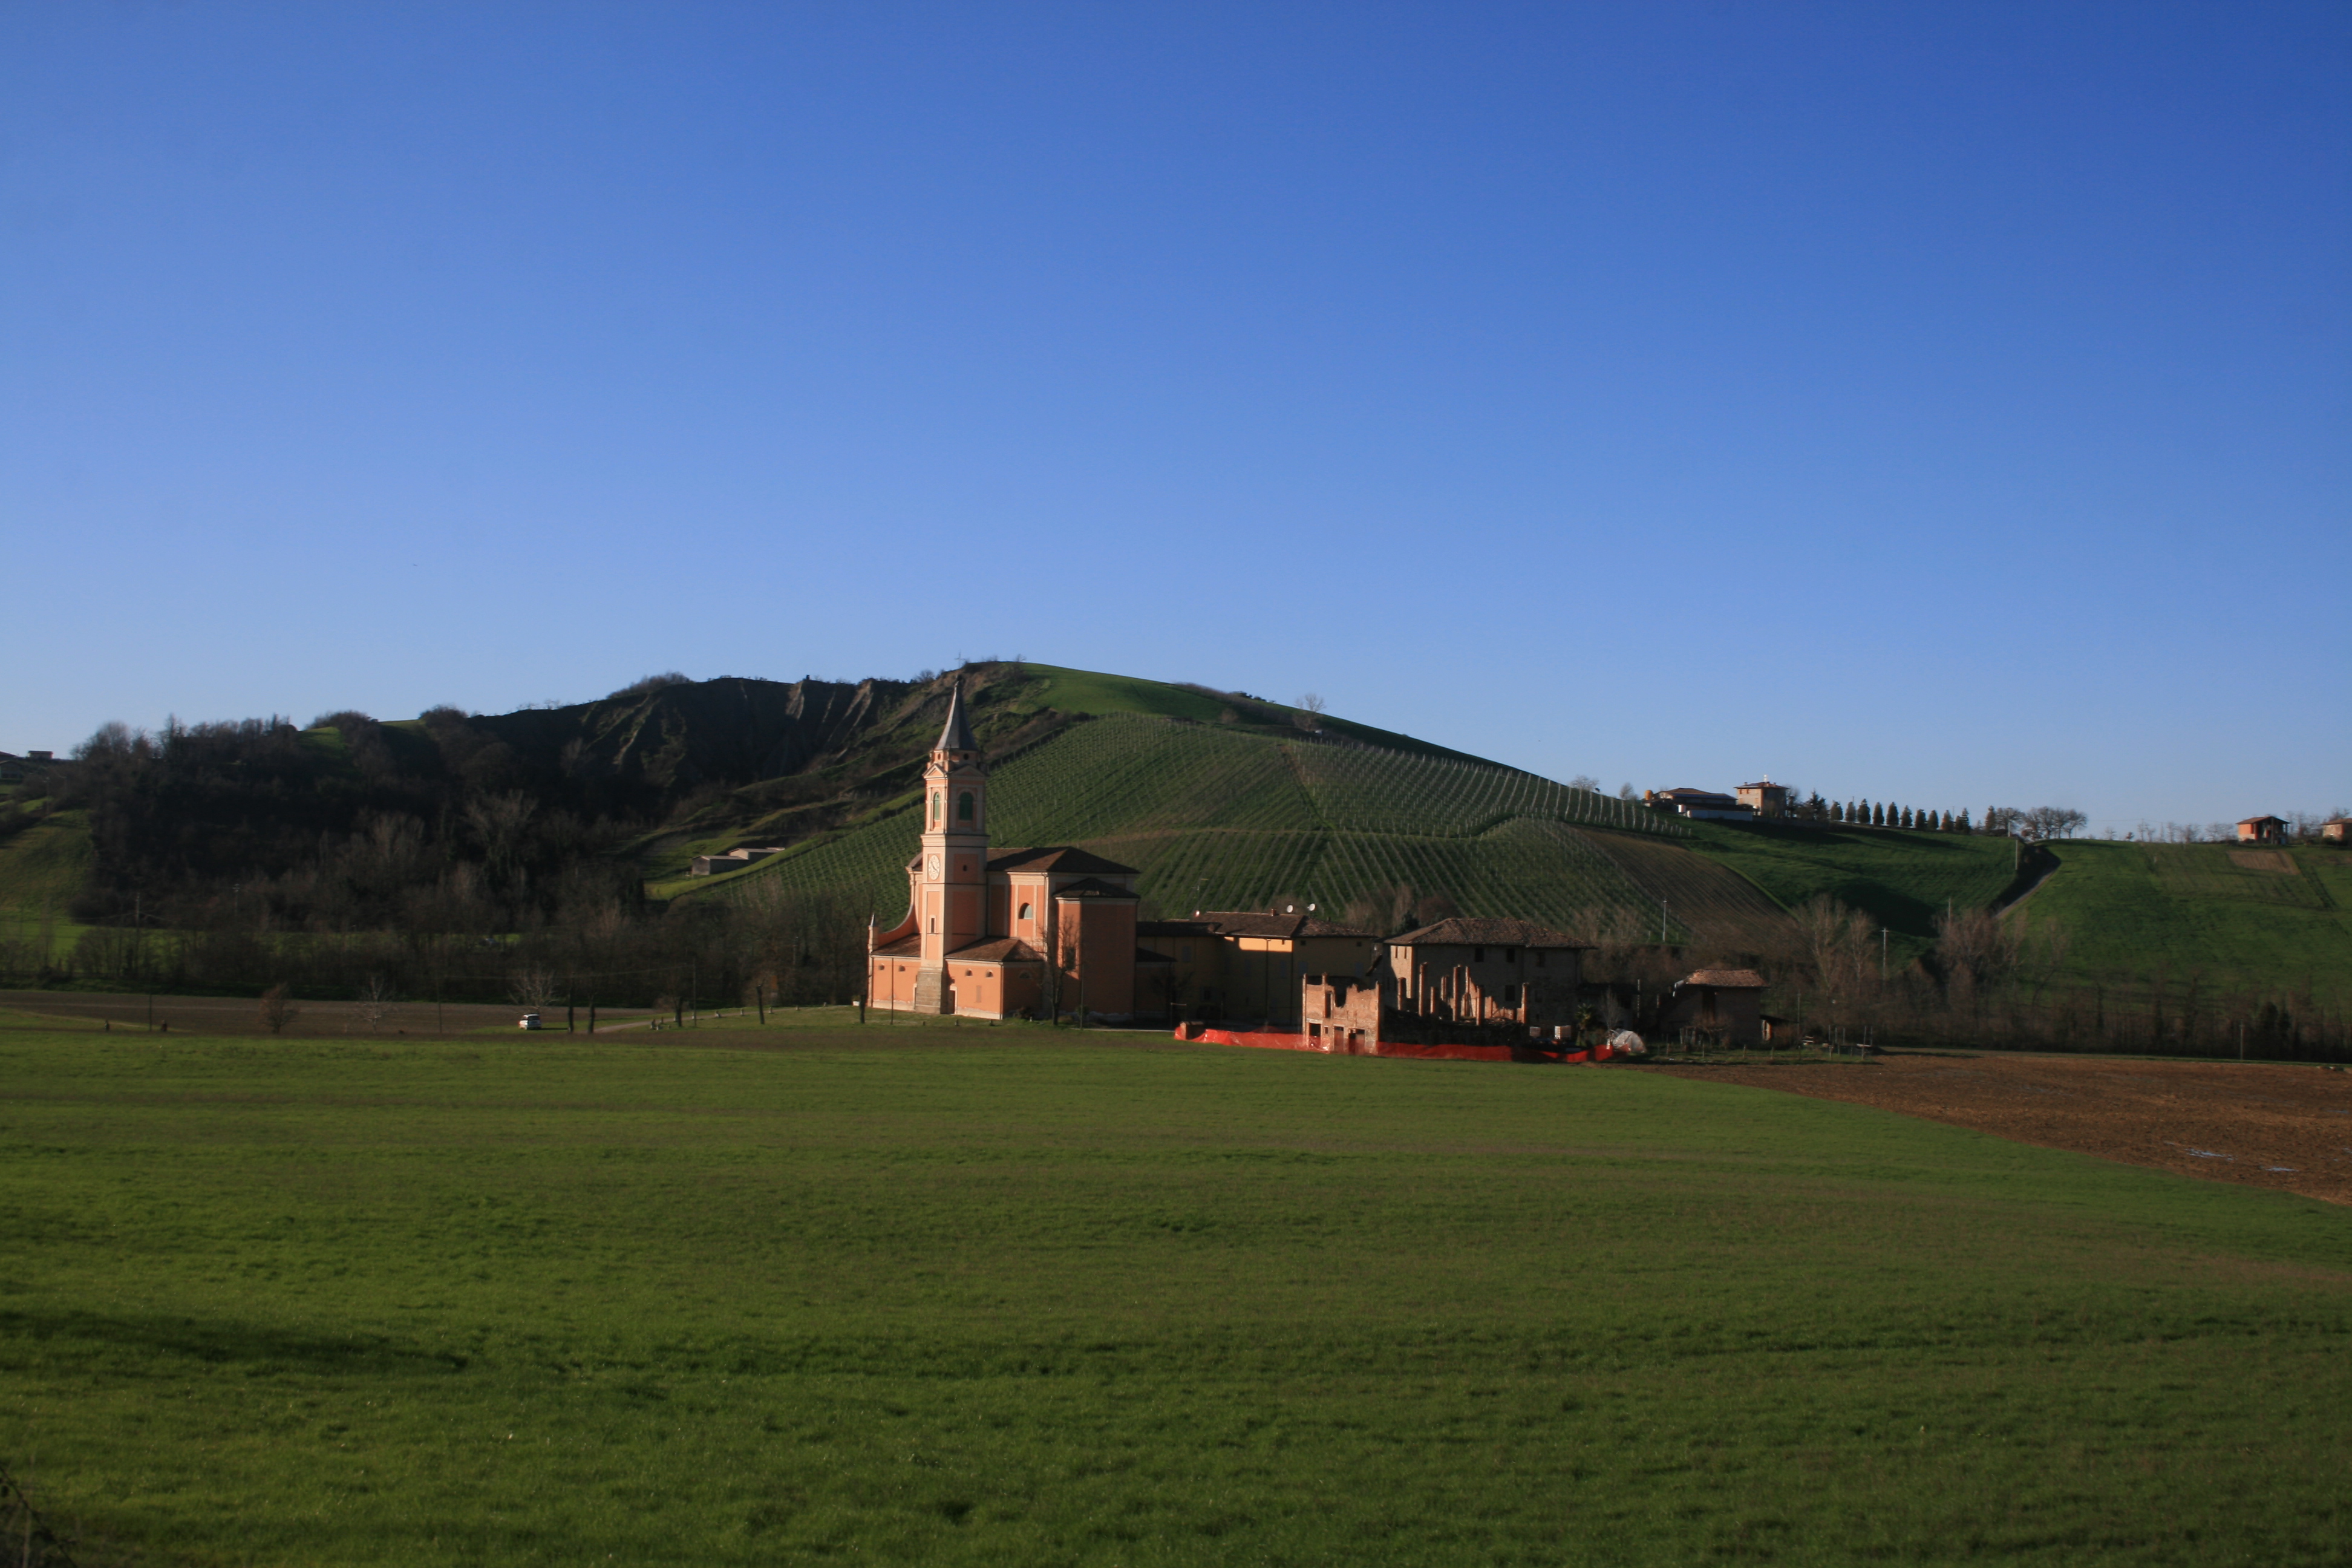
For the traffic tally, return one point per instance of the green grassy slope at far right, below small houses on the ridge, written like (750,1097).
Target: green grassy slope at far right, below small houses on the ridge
(2193,909)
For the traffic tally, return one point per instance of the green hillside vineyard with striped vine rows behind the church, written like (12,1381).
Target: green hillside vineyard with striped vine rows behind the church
(1231,819)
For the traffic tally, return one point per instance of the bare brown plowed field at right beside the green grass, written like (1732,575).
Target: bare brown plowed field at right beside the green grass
(2264,1125)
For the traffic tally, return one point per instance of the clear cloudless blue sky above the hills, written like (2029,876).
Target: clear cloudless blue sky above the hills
(1923,403)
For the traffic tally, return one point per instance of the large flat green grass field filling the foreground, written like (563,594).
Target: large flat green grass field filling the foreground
(1013,1296)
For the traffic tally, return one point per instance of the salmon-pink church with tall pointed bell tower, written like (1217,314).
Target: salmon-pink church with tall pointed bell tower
(1010,932)
